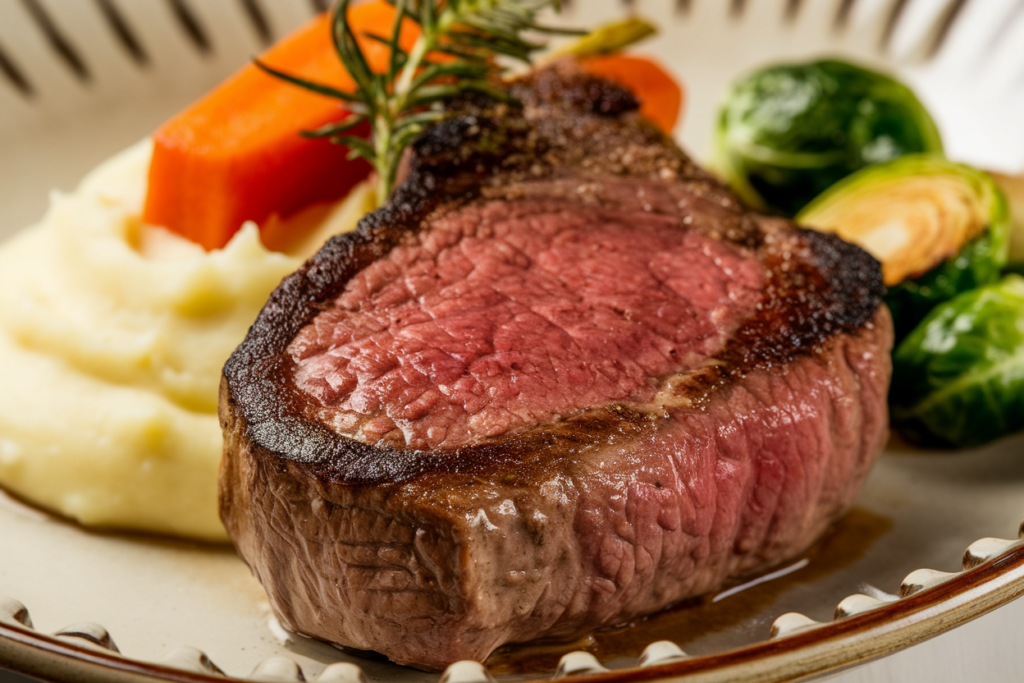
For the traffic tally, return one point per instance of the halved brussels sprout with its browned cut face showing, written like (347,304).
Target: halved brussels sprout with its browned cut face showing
(938,229)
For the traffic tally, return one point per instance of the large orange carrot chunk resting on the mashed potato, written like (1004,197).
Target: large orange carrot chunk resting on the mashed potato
(236,155)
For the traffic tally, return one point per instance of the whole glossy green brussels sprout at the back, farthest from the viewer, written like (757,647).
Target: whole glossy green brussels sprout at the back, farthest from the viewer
(787,134)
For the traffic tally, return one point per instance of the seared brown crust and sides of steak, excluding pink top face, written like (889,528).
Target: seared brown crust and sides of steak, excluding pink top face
(739,461)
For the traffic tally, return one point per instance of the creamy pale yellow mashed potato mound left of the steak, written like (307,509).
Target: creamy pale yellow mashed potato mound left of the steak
(112,339)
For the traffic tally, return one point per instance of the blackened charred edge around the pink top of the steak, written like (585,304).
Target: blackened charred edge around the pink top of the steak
(479,152)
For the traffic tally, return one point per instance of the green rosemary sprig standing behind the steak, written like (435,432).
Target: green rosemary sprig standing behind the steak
(407,97)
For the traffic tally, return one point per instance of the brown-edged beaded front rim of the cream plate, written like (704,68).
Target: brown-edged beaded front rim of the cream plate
(798,650)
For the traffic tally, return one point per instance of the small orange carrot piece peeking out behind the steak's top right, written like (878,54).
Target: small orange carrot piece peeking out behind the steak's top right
(661,97)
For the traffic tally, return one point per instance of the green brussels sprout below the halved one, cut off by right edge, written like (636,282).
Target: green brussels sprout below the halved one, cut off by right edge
(959,377)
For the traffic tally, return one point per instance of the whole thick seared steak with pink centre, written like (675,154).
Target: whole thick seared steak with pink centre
(563,379)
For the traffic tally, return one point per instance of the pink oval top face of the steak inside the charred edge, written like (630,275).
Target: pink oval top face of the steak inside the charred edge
(505,315)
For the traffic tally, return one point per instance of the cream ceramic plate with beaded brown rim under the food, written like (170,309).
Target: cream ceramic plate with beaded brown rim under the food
(81,79)
